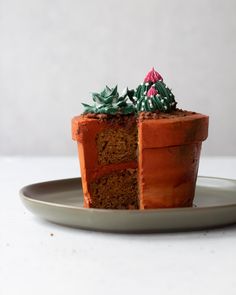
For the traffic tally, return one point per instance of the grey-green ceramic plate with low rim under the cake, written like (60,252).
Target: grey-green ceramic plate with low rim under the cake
(61,201)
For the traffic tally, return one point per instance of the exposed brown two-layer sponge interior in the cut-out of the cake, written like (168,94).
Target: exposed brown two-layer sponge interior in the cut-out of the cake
(116,145)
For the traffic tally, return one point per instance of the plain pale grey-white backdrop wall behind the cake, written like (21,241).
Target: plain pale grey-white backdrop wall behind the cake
(54,53)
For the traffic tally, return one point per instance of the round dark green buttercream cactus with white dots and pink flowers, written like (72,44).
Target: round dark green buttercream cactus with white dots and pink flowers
(153,95)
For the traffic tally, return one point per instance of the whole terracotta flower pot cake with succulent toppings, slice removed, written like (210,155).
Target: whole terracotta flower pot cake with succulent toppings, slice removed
(137,150)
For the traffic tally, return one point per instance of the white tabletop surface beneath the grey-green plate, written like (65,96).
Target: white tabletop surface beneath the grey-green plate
(73,261)
